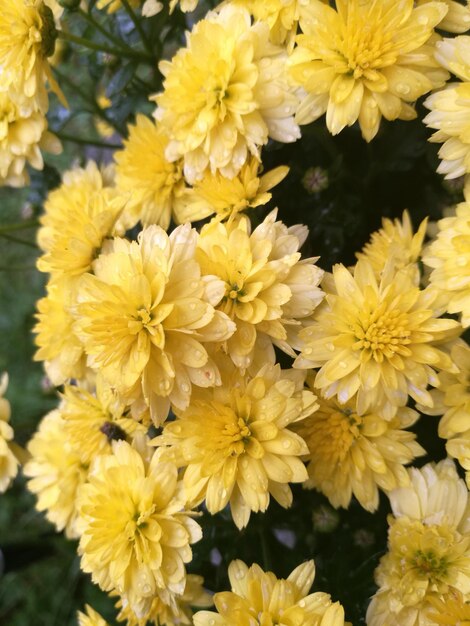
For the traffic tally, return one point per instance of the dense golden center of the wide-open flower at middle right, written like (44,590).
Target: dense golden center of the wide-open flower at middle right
(383,335)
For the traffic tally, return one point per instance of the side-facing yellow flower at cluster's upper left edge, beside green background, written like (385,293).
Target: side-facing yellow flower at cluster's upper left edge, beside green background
(73,197)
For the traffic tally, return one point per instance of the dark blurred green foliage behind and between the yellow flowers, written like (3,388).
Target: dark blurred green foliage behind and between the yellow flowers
(41,582)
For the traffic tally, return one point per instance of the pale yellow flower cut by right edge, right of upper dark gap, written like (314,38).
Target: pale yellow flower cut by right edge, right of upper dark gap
(450,109)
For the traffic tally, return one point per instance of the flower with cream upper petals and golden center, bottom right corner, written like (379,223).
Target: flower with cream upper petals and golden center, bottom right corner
(429,548)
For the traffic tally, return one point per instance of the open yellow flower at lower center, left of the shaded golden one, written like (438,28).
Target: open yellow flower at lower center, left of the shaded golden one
(235,443)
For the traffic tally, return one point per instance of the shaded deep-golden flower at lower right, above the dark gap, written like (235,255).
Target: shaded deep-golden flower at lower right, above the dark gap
(354,453)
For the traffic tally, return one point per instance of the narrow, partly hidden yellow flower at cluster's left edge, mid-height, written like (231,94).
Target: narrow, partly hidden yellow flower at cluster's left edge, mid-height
(58,346)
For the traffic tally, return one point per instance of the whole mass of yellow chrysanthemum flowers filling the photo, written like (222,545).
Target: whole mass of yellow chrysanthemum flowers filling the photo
(181,330)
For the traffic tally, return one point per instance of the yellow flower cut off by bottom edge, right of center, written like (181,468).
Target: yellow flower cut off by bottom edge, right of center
(258,597)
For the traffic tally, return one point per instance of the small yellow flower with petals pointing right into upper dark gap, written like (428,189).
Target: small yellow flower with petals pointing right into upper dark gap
(226,197)
